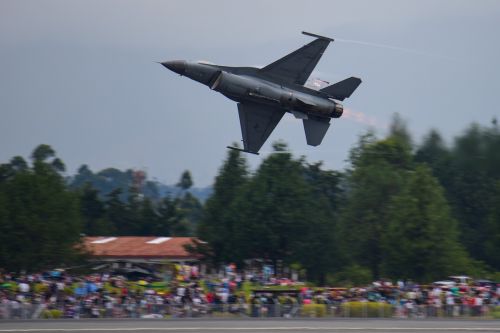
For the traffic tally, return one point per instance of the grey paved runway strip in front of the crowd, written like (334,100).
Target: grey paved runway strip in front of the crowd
(252,326)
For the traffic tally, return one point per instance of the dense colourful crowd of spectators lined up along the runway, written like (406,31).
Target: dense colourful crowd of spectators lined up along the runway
(58,294)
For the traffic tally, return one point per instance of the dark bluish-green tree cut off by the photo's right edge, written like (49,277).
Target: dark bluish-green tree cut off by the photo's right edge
(475,168)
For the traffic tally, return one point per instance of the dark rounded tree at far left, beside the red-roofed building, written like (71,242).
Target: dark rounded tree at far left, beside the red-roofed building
(39,218)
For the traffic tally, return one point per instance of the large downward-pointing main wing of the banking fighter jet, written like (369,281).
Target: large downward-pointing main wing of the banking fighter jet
(257,122)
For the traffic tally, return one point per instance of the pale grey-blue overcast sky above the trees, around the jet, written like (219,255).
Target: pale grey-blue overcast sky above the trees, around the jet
(81,75)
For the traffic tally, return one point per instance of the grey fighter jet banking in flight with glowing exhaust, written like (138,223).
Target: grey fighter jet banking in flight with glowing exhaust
(265,94)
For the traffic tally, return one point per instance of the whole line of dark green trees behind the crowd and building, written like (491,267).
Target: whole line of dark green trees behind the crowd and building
(400,210)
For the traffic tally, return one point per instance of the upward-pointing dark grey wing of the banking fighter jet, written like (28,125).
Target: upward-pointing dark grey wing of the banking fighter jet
(296,67)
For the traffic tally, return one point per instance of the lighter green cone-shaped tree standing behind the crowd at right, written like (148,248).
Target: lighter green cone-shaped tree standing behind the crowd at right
(421,237)
